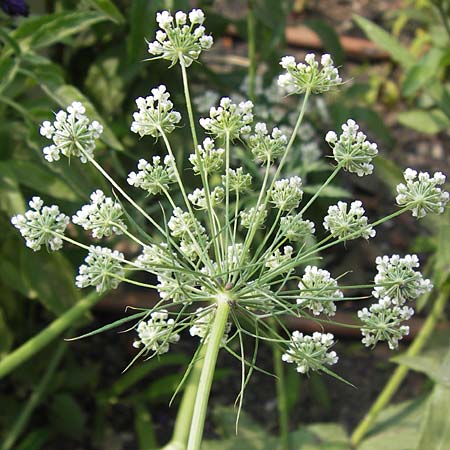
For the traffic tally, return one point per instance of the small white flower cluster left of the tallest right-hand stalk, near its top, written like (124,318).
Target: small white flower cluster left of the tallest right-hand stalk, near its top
(267,147)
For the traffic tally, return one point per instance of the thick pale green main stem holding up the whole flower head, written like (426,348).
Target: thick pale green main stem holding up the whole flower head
(212,350)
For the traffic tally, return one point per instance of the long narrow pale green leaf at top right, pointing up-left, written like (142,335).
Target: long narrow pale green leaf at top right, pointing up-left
(385,41)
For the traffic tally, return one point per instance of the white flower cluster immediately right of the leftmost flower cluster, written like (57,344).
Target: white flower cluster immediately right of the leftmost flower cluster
(103,216)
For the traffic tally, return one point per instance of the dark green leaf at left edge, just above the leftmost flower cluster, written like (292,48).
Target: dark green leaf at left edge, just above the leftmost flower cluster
(39,179)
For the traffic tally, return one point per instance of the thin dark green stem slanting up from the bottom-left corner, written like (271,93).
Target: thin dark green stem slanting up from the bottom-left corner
(35,398)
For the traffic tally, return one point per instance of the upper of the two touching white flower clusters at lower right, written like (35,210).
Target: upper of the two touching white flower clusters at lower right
(398,279)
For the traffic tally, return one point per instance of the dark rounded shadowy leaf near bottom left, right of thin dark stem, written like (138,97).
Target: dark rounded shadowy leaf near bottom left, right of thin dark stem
(67,417)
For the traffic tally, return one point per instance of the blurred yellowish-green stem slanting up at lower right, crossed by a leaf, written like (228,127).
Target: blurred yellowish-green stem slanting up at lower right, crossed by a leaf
(400,373)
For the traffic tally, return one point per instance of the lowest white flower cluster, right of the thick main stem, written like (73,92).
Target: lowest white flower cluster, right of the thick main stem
(310,352)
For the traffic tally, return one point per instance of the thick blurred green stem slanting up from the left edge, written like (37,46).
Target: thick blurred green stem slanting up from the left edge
(38,342)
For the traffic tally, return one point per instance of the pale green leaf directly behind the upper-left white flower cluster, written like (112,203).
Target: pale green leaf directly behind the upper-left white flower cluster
(66,94)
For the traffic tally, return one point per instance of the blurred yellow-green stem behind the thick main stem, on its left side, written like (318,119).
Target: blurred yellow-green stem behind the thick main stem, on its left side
(184,416)
